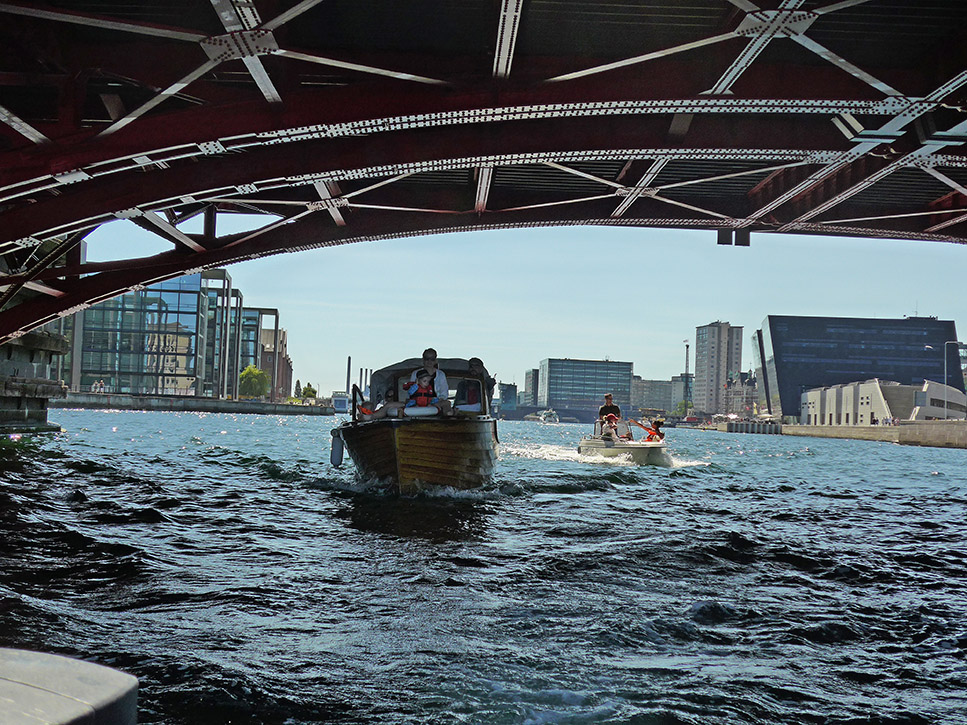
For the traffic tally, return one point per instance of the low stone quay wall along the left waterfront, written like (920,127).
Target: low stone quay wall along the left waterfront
(120,401)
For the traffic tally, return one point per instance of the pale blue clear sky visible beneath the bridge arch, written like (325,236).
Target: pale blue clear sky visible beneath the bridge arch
(516,297)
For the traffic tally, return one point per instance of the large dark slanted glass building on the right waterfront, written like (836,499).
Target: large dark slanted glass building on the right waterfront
(796,354)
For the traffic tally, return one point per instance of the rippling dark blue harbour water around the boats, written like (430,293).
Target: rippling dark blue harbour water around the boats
(757,579)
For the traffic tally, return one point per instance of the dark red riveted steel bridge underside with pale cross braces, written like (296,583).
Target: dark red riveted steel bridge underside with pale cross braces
(339,121)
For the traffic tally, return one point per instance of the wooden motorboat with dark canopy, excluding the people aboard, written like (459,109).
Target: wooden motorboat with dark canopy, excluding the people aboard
(410,452)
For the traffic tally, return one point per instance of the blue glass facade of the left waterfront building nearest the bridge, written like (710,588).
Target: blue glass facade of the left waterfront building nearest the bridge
(149,341)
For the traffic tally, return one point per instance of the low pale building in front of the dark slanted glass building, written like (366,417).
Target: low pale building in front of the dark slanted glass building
(878,402)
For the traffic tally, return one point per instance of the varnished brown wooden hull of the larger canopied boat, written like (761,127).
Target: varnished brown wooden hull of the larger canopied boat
(411,454)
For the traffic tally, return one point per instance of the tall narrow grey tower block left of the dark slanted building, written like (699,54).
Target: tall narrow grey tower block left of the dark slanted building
(718,357)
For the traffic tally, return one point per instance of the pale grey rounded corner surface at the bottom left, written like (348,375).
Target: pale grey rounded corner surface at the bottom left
(45,689)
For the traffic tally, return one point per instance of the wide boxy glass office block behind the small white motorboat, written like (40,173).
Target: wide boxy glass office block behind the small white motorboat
(581,384)
